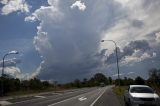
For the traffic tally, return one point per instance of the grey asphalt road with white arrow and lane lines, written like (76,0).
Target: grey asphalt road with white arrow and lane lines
(98,96)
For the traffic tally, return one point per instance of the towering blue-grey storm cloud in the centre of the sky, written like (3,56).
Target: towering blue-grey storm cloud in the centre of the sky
(68,39)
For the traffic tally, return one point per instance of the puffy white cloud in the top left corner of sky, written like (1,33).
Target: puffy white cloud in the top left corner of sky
(13,6)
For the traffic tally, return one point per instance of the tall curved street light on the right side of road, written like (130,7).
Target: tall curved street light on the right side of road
(116,58)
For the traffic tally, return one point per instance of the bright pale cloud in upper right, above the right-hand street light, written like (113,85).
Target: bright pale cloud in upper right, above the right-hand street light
(139,19)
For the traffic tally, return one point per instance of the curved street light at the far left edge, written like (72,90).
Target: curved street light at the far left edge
(11,52)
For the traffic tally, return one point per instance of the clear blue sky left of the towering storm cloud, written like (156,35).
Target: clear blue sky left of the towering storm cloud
(16,34)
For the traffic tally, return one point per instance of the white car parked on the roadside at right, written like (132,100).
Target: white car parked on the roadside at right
(141,95)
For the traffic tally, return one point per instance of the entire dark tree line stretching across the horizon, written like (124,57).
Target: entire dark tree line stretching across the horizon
(99,79)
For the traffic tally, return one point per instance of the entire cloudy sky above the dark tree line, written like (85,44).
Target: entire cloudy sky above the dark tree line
(60,40)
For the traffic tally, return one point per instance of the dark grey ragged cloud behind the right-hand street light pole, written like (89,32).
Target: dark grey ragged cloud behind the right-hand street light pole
(140,47)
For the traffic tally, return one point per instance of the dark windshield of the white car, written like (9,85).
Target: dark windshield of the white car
(141,90)
